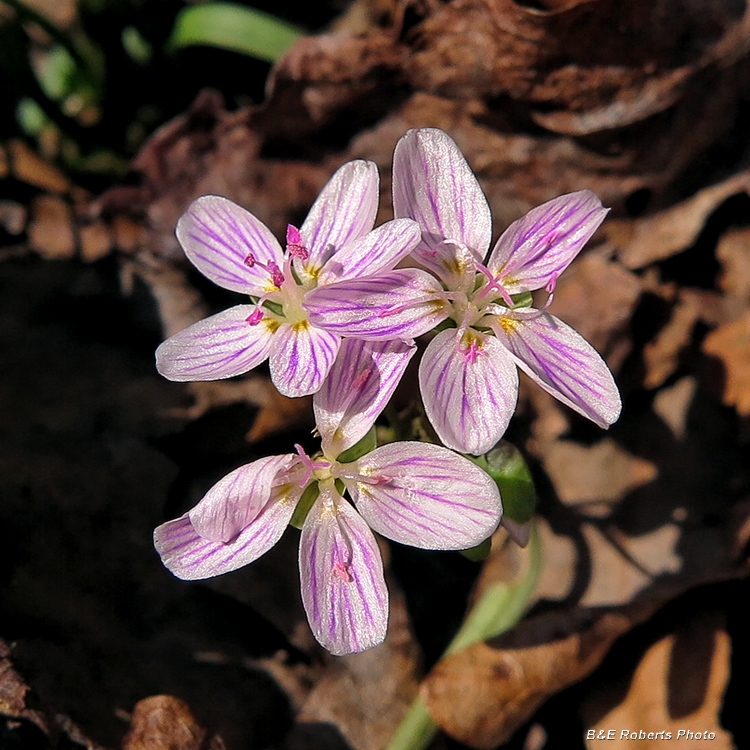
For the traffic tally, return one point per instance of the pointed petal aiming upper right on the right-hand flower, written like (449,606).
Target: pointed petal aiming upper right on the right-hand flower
(538,247)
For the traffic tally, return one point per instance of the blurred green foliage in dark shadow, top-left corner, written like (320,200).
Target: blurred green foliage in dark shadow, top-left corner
(89,94)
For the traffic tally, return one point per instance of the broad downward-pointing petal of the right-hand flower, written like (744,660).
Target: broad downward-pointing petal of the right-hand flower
(469,387)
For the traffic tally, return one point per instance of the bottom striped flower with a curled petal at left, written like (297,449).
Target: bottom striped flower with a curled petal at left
(419,494)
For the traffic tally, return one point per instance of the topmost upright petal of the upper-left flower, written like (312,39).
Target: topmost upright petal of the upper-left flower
(344,211)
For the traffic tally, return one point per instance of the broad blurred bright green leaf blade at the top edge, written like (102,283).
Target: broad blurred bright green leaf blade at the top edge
(234,27)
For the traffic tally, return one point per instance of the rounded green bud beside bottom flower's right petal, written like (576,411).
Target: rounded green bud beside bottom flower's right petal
(506,465)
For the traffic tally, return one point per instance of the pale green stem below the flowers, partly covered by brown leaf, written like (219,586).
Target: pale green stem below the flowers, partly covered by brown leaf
(499,609)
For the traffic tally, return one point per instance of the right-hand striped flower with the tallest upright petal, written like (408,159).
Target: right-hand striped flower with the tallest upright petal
(468,376)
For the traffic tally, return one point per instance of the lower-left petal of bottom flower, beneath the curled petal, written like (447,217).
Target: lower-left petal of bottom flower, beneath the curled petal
(191,557)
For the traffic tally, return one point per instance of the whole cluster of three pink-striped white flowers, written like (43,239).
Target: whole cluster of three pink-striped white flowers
(337,319)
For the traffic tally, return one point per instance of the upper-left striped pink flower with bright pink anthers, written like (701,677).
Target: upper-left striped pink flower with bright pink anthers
(335,243)
